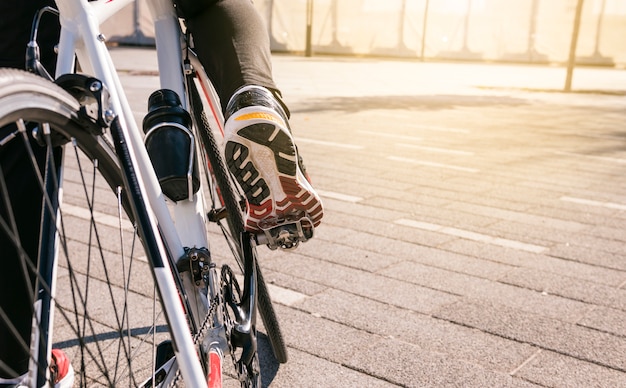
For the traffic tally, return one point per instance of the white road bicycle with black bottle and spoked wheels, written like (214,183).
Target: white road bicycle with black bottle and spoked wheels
(177,328)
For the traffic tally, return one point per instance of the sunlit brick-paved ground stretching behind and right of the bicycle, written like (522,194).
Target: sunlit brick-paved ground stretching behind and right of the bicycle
(474,227)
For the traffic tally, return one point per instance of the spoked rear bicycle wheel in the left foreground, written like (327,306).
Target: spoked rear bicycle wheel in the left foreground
(99,292)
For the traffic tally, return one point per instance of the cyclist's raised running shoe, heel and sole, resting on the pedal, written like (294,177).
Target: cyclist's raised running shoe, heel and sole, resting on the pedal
(262,155)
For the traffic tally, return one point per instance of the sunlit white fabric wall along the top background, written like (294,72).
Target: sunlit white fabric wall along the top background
(535,31)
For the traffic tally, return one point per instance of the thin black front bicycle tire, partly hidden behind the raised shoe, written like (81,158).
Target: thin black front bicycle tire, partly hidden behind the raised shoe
(236,222)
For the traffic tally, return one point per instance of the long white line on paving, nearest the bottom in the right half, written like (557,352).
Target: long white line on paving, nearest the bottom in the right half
(468,235)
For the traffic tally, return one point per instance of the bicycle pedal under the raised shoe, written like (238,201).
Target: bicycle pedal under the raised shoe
(285,233)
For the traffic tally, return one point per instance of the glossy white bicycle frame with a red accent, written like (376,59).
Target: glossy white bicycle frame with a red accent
(81,39)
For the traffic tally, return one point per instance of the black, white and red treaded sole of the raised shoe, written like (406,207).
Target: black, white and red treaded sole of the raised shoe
(262,157)
